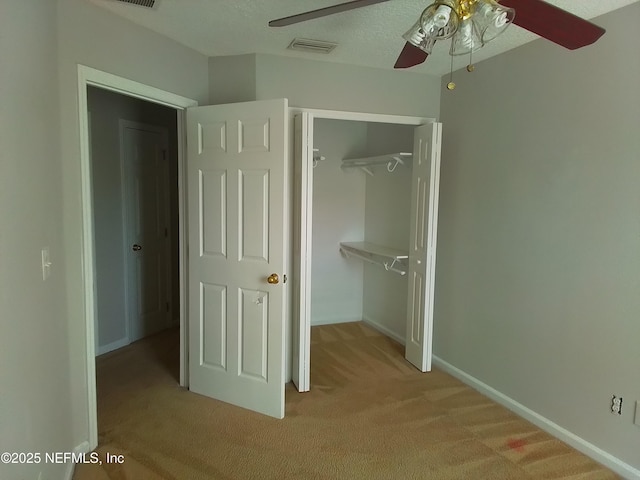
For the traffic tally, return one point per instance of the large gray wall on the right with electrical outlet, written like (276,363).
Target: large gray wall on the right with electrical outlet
(537,291)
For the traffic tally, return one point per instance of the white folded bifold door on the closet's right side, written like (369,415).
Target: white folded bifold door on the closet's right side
(422,248)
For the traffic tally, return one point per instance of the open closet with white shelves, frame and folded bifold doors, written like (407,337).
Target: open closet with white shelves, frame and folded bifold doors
(365,211)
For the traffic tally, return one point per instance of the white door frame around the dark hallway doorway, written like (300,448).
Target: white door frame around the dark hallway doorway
(91,77)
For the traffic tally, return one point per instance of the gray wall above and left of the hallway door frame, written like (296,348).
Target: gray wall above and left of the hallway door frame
(94,37)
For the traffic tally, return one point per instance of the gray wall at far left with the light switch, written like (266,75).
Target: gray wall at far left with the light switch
(35,403)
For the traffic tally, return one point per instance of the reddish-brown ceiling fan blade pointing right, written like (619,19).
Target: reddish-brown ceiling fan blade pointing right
(553,23)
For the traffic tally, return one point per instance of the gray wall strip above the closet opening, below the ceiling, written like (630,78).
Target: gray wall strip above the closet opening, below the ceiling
(329,86)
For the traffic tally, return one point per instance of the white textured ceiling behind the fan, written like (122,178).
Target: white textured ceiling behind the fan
(369,36)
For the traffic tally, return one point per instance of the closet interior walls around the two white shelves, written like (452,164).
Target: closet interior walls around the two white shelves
(351,206)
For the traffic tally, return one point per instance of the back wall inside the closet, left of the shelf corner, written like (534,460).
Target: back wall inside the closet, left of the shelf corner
(338,216)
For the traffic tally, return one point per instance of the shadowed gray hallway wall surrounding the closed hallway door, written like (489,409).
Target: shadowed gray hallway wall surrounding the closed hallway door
(107,108)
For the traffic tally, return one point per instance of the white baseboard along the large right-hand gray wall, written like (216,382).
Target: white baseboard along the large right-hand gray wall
(597,454)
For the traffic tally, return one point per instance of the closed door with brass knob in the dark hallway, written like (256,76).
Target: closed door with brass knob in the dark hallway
(145,168)
